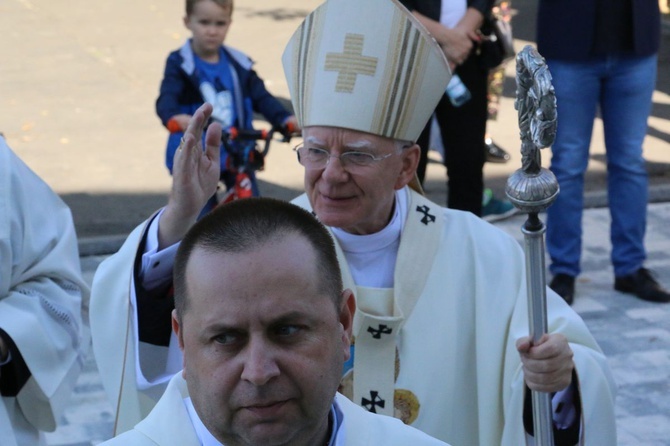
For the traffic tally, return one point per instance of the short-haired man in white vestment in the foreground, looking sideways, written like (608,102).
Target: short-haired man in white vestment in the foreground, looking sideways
(265,327)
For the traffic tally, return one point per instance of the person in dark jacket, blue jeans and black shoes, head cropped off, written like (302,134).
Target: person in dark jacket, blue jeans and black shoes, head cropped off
(602,56)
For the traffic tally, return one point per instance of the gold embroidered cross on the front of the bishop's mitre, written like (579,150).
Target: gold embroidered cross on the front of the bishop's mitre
(350,63)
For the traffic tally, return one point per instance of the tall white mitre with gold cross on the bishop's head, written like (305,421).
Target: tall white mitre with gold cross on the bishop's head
(366,65)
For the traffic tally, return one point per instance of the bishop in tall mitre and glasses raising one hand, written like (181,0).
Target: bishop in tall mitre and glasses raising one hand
(441,326)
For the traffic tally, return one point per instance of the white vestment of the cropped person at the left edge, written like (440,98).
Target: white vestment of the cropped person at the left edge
(43,300)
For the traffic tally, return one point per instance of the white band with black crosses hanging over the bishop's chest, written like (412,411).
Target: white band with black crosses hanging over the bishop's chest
(382,312)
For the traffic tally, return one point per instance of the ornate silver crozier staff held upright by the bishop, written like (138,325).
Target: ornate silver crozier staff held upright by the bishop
(532,189)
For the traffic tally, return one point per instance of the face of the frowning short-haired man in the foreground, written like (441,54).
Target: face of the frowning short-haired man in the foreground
(263,346)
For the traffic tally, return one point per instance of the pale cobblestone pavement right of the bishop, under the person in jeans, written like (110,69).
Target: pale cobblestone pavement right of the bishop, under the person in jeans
(635,335)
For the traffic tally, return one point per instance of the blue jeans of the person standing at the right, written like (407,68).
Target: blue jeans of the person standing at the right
(622,88)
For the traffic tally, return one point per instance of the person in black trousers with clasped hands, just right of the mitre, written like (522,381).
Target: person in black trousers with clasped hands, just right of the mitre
(455,25)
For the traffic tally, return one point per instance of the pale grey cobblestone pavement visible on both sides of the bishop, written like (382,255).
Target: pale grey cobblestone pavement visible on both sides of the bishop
(634,334)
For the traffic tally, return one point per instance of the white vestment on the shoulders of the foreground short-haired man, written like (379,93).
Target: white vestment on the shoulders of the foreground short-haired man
(169,423)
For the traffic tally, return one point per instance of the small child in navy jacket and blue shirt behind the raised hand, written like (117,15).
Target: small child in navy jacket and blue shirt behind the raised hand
(205,70)
